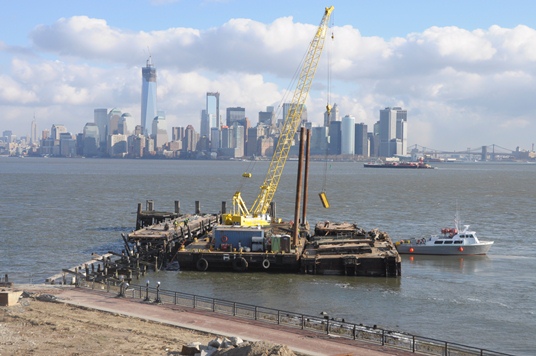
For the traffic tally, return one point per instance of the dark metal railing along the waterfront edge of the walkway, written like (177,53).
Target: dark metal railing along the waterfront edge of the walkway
(339,328)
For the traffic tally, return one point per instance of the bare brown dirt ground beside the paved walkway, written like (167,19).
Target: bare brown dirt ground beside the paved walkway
(46,328)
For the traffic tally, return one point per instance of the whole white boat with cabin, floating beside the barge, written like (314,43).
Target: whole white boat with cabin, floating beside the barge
(452,241)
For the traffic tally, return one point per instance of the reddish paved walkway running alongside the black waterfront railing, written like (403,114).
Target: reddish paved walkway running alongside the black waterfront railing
(301,341)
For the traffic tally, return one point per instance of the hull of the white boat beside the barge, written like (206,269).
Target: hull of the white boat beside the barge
(422,249)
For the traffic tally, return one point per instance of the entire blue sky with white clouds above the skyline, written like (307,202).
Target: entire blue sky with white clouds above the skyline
(464,69)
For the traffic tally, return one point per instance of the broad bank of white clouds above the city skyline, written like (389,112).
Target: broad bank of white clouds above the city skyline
(461,88)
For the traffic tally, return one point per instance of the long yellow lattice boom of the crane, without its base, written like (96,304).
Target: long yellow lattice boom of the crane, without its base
(293,118)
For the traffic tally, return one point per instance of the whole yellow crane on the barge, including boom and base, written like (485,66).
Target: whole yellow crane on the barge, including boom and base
(257,215)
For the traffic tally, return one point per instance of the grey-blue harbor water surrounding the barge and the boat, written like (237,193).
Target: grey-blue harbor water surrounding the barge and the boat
(56,212)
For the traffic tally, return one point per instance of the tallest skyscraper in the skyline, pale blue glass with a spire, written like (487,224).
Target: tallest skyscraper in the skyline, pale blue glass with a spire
(148,97)
